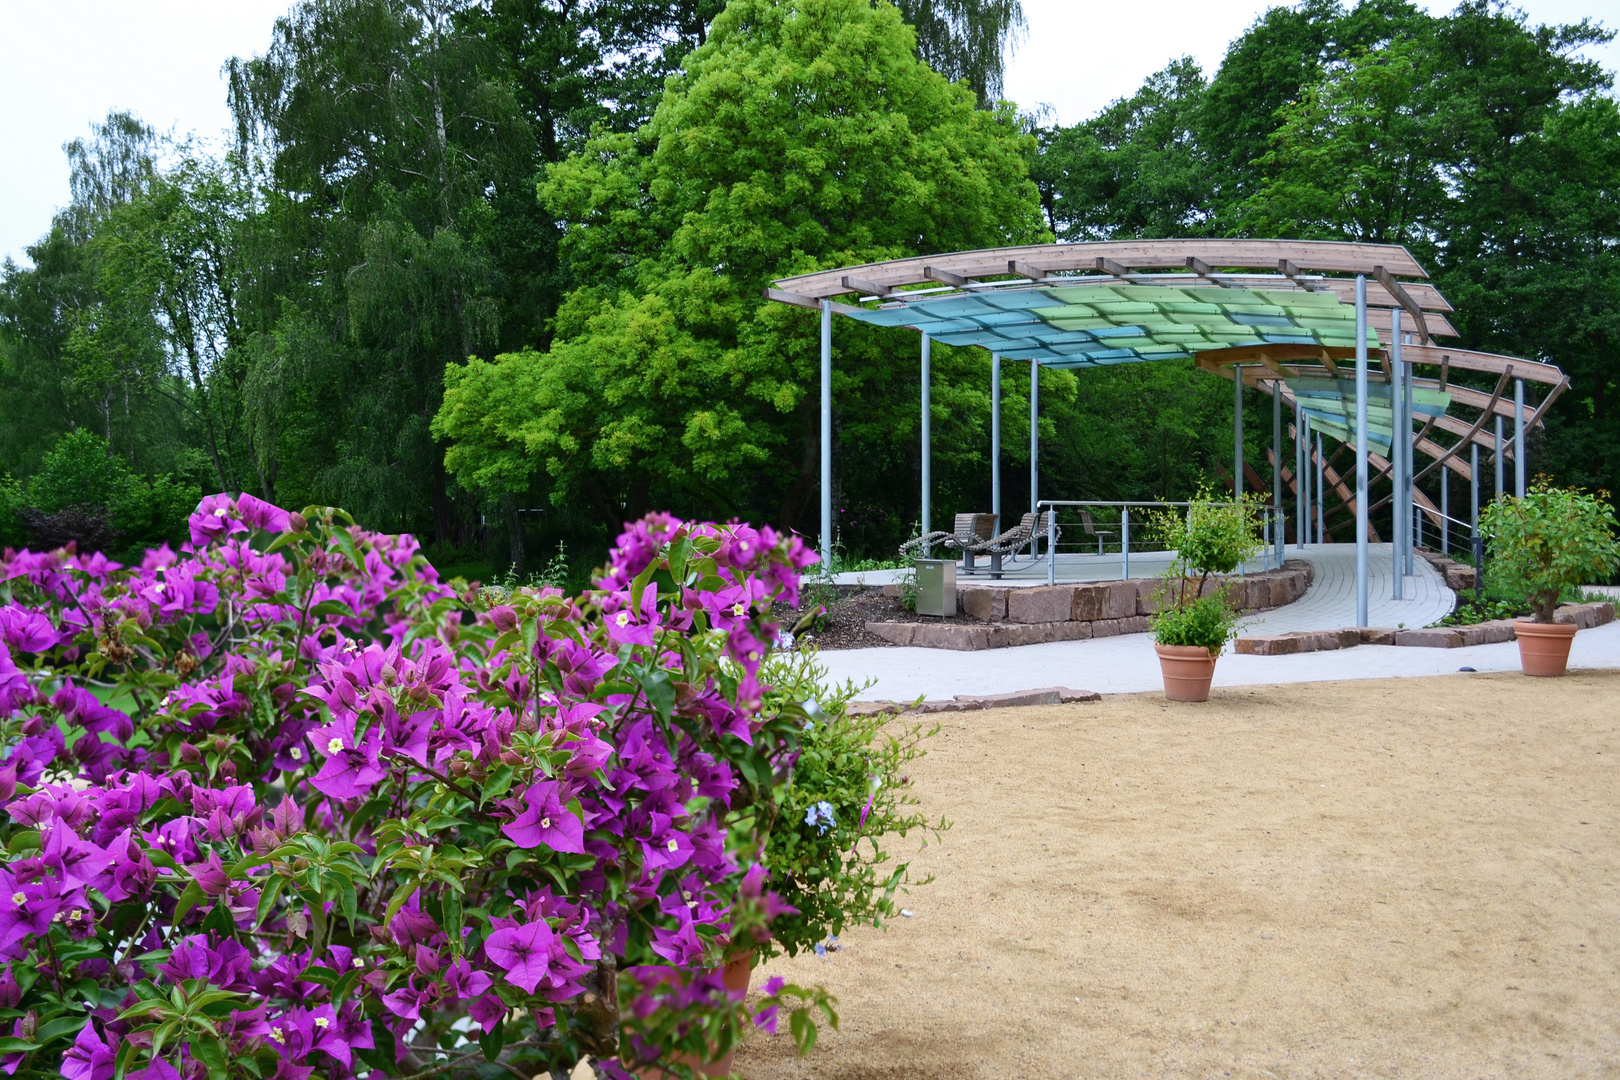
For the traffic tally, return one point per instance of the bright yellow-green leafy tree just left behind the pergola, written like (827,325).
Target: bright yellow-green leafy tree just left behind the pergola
(803,134)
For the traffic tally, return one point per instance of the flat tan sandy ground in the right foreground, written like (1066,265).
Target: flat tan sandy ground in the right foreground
(1405,878)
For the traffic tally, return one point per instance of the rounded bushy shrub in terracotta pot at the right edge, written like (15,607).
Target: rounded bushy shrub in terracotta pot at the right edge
(1551,540)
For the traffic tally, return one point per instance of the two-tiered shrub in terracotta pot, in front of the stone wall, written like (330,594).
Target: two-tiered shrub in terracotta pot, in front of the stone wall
(1193,623)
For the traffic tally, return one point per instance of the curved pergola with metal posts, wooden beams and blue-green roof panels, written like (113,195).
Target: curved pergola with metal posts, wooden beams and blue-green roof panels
(1284,317)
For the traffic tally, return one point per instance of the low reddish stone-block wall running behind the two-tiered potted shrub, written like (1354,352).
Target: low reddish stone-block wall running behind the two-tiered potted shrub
(1000,616)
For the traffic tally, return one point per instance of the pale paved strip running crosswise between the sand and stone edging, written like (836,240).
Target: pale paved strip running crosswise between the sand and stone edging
(1130,666)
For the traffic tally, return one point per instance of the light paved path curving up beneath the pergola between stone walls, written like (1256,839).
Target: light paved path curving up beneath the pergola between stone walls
(1332,598)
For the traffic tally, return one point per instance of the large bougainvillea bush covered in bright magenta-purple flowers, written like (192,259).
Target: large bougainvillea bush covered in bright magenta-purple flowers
(286,806)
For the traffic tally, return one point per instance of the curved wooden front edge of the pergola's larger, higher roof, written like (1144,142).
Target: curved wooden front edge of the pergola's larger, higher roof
(1138,255)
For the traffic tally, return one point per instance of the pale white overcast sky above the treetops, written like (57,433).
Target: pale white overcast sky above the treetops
(67,62)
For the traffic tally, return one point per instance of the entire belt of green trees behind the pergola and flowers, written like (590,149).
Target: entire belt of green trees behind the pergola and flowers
(587,198)
